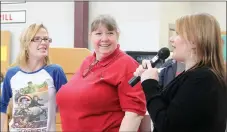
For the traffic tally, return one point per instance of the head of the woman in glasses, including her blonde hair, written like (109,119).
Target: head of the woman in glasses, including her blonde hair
(34,44)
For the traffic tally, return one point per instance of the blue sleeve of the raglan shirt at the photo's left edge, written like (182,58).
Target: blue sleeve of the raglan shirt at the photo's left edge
(6,92)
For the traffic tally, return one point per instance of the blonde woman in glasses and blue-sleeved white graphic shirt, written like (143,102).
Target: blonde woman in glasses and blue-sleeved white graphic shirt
(32,84)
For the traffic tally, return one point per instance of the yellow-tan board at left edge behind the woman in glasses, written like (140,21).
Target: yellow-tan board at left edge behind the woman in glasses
(5,50)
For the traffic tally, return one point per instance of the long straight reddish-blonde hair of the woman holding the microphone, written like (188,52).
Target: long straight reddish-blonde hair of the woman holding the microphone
(203,30)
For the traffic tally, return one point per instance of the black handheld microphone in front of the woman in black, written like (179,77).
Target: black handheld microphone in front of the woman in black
(163,53)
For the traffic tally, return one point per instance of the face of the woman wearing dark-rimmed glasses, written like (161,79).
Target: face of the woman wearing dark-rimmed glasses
(38,48)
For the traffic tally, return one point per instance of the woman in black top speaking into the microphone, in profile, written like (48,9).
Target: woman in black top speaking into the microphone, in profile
(196,100)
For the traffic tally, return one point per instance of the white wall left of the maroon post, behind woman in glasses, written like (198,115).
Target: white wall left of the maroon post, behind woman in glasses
(58,17)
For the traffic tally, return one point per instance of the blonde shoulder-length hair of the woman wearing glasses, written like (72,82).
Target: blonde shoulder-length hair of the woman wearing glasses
(25,40)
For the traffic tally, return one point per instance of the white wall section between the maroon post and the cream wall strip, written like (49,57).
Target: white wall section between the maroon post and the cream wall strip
(137,22)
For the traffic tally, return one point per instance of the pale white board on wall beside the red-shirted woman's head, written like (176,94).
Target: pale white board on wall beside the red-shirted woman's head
(139,36)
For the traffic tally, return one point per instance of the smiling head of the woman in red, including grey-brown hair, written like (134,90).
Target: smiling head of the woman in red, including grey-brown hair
(104,36)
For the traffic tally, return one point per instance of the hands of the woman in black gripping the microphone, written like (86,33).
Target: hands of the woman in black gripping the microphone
(149,73)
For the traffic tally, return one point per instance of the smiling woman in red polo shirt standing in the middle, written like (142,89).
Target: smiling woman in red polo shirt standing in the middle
(98,97)
